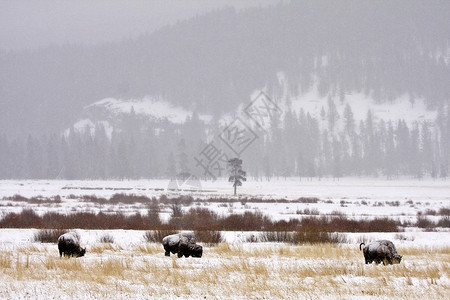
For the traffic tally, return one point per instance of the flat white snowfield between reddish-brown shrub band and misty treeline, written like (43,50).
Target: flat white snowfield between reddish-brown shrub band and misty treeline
(356,198)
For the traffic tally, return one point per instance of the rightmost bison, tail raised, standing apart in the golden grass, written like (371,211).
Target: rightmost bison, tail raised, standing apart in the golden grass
(381,251)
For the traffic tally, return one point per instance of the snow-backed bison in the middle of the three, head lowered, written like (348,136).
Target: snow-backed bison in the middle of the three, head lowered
(182,244)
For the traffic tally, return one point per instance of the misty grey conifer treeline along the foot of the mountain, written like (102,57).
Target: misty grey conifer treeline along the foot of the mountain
(300,145)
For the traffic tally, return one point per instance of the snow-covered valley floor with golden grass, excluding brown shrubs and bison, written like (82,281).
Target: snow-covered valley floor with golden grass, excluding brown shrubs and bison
(132,268)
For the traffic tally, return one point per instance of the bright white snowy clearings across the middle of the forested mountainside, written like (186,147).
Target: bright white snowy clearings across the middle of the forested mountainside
(111,112)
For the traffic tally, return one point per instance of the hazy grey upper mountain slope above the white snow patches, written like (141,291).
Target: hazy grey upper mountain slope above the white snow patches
(212,63)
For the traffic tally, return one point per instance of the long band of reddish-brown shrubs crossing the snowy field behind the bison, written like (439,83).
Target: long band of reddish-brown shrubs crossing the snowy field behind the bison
(197,219)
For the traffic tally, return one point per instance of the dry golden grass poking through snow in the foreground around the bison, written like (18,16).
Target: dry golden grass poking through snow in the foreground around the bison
(228,271)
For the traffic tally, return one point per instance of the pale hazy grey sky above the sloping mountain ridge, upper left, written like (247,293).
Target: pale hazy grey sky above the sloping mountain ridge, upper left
(35,24)
